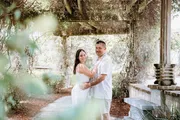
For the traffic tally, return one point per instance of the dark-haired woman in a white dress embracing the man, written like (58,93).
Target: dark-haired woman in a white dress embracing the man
(83,74)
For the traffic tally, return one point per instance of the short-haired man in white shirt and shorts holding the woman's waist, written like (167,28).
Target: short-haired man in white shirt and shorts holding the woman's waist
(101,86)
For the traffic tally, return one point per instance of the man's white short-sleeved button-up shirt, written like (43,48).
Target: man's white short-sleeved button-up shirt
(103,90)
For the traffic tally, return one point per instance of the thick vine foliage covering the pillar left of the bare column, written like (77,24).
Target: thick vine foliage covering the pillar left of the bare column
(143,43)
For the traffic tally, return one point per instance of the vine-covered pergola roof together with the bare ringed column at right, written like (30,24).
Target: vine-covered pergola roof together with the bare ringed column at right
(87,17)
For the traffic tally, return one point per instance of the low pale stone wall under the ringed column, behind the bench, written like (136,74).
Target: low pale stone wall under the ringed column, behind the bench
(171,98)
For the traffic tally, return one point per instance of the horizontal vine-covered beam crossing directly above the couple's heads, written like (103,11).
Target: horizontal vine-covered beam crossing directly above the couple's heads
(92,27)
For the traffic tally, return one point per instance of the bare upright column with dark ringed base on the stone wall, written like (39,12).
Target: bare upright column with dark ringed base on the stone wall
(165,70)
